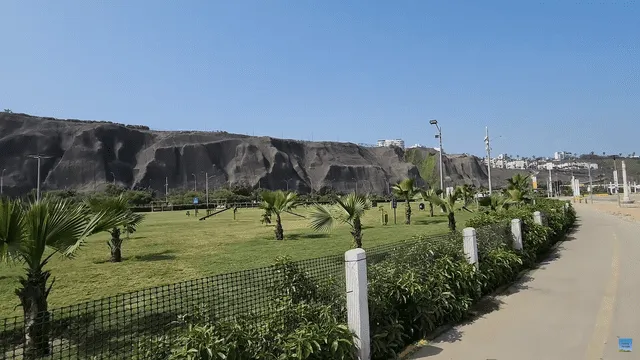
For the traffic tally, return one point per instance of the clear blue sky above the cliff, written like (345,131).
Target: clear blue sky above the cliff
(544,77)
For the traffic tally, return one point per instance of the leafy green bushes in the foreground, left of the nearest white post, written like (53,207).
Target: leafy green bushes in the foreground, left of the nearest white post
(307,323)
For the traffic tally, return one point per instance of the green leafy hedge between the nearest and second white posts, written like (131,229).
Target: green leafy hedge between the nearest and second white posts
(417,288)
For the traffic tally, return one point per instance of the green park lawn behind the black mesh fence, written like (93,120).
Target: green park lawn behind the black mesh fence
(171,247)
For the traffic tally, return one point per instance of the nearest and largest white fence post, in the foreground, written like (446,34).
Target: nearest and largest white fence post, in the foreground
(355,262)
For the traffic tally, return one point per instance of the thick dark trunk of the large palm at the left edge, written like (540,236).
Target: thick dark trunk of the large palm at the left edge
(33,297)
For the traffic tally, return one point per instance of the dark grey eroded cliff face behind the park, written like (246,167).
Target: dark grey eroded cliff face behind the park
(88,155)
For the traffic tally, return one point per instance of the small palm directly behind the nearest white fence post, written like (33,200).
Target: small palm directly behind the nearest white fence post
(348,209)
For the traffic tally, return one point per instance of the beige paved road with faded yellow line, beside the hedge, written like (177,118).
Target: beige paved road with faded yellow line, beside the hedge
(573,307)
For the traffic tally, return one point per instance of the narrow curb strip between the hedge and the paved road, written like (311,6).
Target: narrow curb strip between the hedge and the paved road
(413,348)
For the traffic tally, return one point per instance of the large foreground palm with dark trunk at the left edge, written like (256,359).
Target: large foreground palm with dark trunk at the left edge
(31,234)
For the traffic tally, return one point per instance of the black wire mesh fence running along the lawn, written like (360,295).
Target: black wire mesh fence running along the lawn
(113,327)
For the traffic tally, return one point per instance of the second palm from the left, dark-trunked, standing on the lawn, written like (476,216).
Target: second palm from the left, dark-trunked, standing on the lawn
(129,222)
